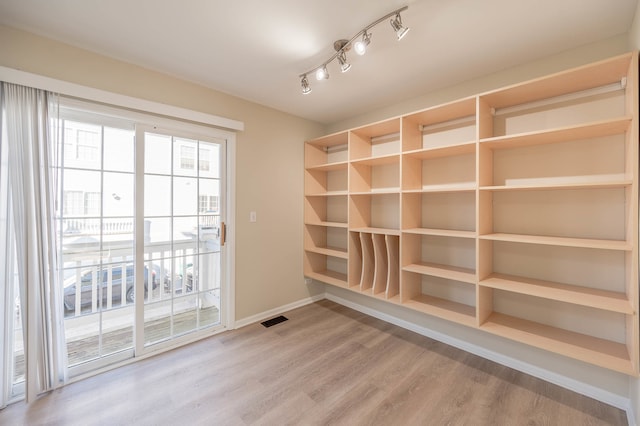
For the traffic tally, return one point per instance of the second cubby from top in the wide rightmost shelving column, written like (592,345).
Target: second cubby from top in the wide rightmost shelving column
(593,155)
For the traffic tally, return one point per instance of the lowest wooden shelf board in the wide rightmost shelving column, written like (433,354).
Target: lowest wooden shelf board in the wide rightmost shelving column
(605,353)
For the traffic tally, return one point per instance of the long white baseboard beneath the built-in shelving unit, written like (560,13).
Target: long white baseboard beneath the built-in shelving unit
(535,371)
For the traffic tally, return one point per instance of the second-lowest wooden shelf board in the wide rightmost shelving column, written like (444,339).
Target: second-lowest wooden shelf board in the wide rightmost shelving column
(584,296)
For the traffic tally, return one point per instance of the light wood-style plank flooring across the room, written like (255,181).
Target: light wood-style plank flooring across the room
(326,365)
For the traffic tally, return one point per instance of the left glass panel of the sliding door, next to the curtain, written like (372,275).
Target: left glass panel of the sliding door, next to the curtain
(96,223)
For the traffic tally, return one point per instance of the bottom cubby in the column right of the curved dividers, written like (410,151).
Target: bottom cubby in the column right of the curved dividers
(445,298)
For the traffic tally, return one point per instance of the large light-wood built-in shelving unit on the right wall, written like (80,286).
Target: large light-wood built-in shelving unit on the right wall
(514,212)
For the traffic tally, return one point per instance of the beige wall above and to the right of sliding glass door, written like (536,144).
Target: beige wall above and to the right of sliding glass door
(268,168)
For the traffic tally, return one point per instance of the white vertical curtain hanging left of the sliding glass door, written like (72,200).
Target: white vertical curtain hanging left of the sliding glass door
(28,177)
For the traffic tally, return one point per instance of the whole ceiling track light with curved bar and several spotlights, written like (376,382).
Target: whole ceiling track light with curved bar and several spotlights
(360,47)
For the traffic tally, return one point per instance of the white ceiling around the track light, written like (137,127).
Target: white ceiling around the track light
(256,49)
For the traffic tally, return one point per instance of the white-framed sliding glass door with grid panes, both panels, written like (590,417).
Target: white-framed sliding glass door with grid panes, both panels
(141,234)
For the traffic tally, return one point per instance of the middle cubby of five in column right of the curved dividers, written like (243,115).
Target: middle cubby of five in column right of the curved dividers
(440,213)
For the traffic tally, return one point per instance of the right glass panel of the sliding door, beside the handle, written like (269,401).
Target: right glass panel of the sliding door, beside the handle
(182,216)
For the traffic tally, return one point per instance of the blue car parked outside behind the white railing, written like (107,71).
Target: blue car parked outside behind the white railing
(86,280)
